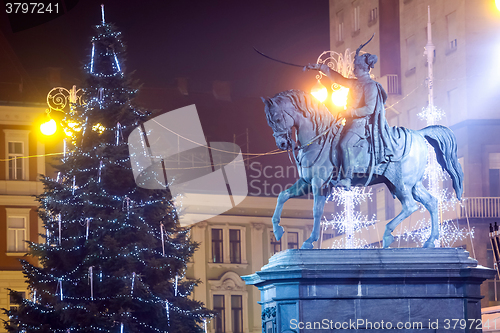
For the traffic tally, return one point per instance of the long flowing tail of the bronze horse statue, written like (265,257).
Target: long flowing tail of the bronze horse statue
(445,145)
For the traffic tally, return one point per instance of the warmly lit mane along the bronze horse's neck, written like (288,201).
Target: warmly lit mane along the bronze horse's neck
(310,107)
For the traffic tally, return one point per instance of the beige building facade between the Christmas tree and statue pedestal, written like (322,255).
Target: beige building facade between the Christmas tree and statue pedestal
(237,243)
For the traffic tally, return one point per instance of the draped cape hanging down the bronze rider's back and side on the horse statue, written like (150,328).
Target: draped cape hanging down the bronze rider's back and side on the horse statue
(389,144)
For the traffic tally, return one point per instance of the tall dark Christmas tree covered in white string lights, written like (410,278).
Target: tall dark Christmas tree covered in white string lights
(114,257)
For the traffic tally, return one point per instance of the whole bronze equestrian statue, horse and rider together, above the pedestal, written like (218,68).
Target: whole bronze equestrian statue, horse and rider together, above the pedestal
(357,149)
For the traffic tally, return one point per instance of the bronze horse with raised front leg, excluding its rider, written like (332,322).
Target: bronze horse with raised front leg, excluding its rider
(316,152)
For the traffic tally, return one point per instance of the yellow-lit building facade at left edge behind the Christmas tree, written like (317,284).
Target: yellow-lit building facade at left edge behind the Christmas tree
(23,160)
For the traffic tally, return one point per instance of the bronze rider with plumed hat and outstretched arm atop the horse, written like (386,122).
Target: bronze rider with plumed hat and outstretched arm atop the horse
(365,119)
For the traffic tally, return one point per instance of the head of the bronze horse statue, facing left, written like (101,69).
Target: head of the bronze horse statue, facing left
(280,121)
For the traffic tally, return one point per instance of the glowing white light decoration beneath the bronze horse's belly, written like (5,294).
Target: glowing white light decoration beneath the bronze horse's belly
(349,221)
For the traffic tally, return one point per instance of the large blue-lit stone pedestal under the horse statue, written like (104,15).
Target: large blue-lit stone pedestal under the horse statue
(407,290)
